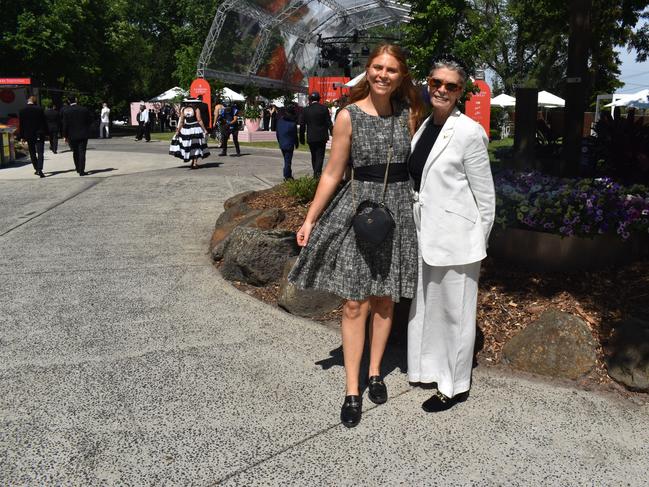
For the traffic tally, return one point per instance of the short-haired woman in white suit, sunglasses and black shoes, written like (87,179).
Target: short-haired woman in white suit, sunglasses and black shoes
(454,211)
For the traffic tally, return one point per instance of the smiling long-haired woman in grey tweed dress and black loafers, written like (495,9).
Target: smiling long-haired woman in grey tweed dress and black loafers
(384,111)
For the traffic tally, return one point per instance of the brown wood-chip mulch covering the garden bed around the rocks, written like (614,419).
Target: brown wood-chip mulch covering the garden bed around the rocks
(510,298)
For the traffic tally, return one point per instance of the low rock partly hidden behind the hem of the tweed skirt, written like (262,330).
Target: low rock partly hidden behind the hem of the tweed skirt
(304,302)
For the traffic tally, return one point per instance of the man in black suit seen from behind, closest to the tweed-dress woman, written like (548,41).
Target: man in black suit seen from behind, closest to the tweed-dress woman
(316,122)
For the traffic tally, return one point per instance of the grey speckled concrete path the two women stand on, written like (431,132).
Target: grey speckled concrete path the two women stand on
(126,360)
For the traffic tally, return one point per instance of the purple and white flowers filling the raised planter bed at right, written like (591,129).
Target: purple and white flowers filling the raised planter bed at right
(582,207)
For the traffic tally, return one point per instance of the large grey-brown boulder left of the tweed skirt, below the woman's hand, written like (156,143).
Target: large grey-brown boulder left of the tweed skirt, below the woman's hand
(256,256)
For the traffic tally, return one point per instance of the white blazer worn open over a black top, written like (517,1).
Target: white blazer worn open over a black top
(456,201)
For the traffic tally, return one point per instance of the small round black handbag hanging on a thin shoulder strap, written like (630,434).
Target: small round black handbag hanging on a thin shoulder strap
(373,221)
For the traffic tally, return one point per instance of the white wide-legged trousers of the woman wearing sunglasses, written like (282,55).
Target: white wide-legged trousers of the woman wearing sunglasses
(442,327)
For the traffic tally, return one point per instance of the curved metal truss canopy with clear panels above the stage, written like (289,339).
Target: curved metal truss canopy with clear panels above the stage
(299,24)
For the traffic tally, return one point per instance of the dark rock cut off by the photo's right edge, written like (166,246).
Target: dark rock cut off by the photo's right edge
(628,354)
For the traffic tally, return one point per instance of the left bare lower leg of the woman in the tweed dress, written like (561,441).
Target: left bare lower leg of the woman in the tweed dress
(353,332)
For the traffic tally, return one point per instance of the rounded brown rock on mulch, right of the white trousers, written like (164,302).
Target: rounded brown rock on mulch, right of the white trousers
(557,344)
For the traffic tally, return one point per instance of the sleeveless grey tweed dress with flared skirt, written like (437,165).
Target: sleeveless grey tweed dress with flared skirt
(334,259)
